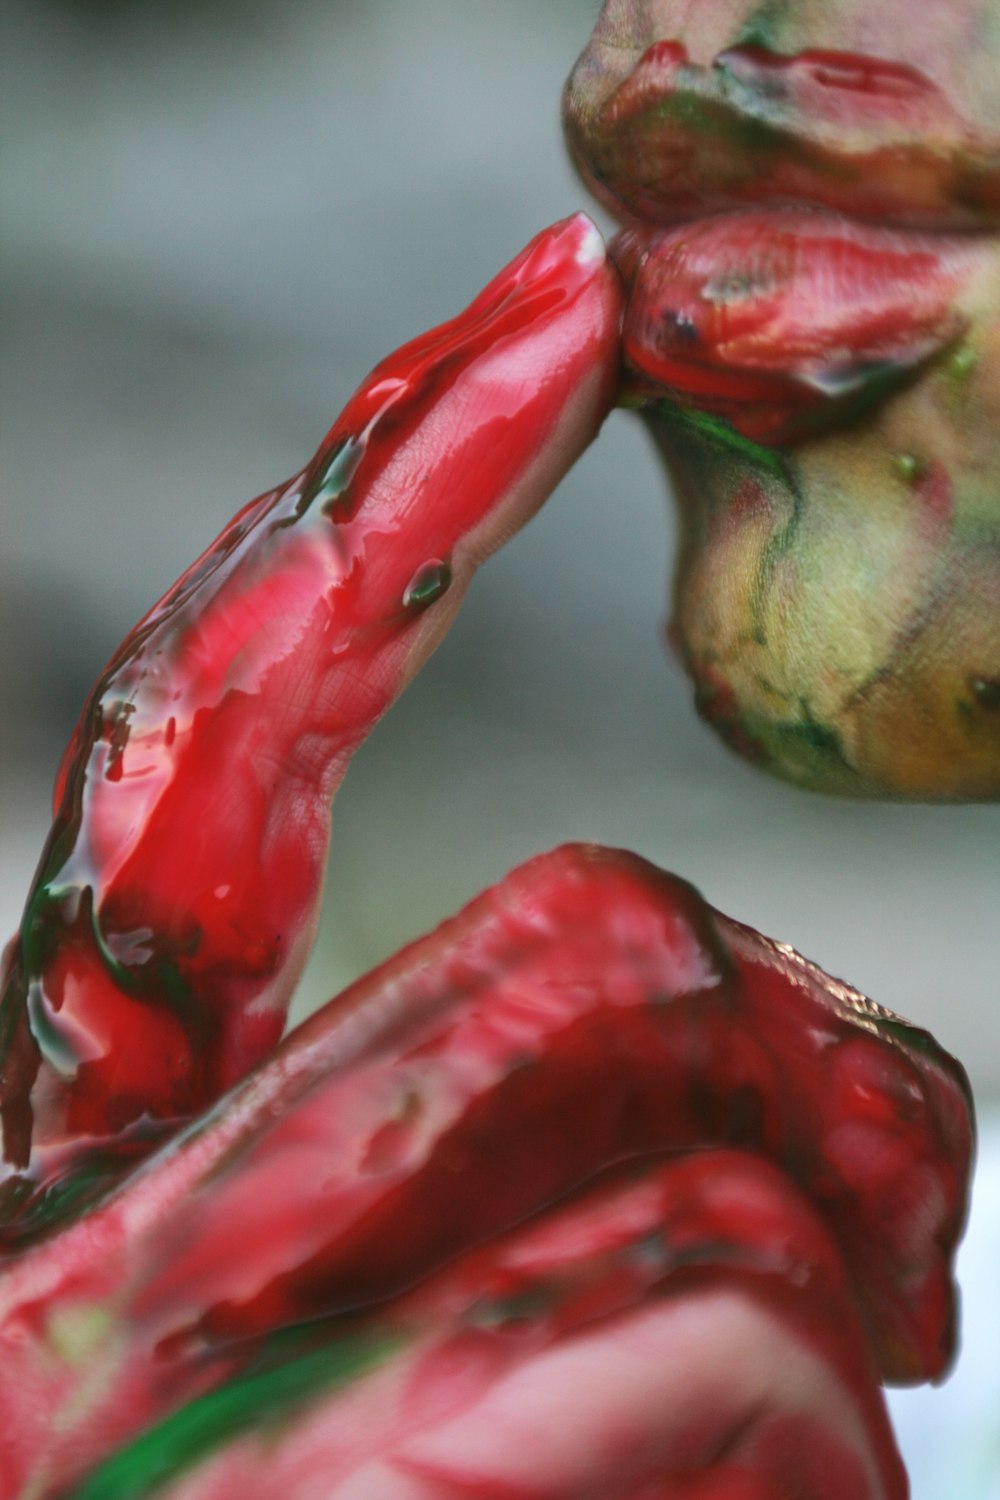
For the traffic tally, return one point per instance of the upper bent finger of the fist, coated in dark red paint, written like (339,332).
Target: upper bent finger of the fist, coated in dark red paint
(588,1010)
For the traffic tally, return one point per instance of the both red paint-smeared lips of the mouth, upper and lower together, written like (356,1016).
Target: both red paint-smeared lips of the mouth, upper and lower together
(800,227)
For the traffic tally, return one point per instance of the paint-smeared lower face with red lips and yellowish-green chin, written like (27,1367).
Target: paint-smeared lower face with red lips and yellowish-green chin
(813,256)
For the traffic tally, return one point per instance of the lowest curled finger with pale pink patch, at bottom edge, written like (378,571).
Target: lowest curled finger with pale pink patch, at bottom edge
(684,1333)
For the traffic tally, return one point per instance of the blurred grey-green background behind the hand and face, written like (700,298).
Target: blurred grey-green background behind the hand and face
(217,217)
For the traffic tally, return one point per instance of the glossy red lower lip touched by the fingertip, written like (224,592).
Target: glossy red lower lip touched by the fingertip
(785,322)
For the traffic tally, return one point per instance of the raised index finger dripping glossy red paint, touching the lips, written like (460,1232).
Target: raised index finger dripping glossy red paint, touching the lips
(179,890)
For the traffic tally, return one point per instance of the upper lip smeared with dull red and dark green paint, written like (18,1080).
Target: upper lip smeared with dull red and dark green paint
(860,136)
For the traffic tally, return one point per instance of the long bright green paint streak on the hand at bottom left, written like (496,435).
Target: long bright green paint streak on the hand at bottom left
(259,1400)
